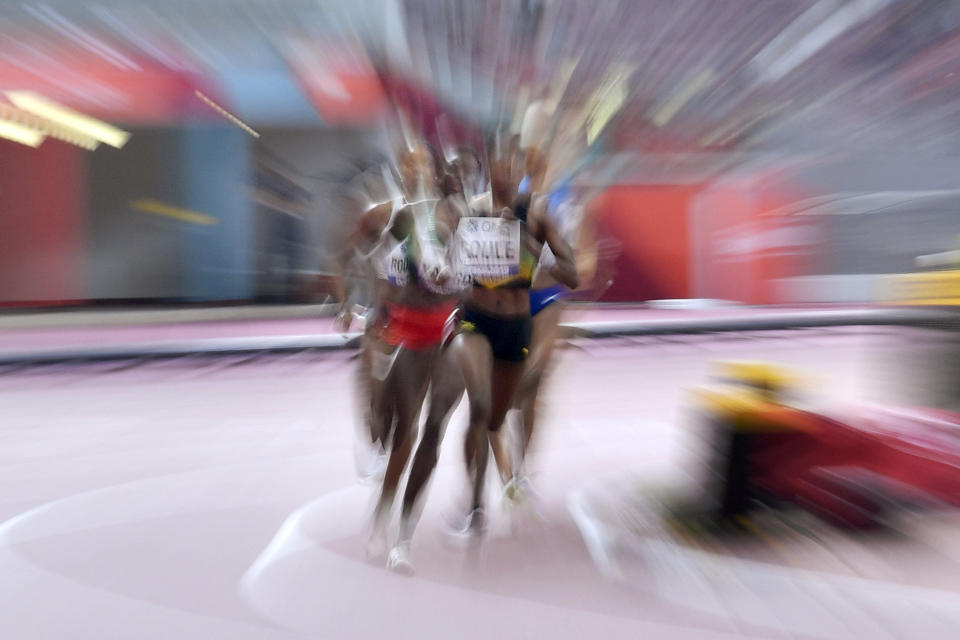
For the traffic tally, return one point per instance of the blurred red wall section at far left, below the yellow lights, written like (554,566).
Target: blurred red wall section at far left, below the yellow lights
(42,217)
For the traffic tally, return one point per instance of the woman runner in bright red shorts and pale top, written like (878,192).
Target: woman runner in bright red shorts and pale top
(421,295)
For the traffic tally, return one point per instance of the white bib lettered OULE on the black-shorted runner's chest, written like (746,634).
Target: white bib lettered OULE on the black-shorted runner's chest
(489,246)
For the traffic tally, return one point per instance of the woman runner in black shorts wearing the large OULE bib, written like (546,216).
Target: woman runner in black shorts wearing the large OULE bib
(502,253)
